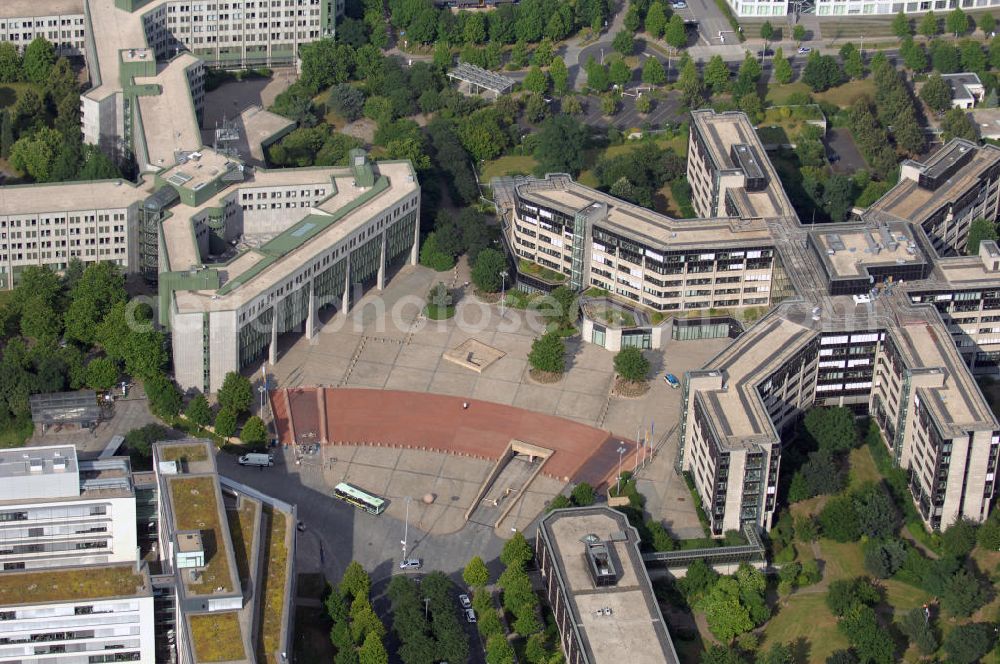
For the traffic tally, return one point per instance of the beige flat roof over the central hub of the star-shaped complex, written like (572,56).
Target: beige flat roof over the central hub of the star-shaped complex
(847,252)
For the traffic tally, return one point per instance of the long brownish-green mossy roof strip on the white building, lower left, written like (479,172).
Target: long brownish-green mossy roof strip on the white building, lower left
(73,584)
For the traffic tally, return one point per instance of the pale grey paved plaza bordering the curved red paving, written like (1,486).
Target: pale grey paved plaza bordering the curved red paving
(384,343)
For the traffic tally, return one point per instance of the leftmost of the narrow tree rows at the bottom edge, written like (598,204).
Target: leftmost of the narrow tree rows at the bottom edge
(357,634)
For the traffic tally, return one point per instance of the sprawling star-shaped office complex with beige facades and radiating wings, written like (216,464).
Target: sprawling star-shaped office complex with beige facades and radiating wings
(882,315)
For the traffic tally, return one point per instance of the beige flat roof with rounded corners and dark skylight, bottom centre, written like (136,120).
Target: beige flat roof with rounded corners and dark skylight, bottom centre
(634,631)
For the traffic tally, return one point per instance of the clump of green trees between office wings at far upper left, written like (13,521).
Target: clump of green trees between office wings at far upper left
(41,132)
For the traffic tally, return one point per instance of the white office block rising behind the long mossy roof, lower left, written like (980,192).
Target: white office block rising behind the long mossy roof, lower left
(56,510)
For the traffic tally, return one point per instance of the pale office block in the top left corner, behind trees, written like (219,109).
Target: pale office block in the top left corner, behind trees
(61,22)
